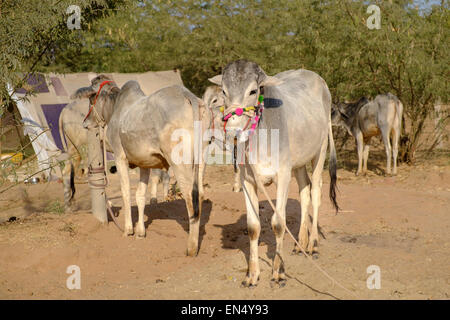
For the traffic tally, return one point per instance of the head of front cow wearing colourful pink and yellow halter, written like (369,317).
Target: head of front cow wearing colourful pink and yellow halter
(242,82)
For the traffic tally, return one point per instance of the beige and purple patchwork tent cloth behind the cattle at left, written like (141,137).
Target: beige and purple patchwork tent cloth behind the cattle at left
(40,112)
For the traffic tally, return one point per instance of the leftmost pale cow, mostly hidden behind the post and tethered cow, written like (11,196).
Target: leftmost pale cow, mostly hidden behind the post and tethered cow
(74,138)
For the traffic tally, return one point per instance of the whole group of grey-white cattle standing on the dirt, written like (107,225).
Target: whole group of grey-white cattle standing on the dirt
(289,116)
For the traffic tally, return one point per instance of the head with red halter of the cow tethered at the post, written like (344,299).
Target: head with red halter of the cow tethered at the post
(102,92)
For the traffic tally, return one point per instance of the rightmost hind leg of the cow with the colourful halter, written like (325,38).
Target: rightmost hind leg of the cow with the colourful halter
(316,194)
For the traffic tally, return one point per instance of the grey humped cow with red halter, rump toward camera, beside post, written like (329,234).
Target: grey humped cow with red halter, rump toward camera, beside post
(144,131)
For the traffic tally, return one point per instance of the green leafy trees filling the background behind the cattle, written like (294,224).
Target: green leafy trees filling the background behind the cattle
(408,56)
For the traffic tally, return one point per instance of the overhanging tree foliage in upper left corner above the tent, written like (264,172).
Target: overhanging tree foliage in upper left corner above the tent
(31,31)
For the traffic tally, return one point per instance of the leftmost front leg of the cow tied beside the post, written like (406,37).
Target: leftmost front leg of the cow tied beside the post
(122,170)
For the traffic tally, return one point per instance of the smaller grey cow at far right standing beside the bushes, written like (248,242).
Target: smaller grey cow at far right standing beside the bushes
(365,119)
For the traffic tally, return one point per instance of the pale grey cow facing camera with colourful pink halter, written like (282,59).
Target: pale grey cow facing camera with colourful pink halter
(297,103)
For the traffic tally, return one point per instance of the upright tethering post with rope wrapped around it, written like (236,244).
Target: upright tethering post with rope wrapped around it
(96,175)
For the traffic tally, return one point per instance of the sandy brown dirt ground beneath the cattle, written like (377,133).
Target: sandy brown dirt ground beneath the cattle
(401,224)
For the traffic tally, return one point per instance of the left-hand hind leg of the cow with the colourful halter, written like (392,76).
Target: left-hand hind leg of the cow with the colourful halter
(304,187)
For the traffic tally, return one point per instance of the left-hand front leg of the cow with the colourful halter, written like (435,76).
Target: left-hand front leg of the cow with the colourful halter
(253,228)
